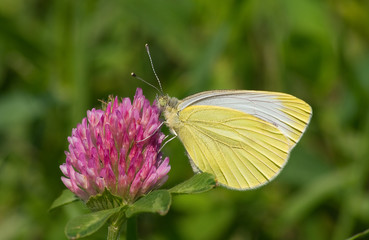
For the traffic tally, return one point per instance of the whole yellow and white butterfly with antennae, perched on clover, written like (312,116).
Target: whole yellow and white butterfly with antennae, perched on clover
(241,137)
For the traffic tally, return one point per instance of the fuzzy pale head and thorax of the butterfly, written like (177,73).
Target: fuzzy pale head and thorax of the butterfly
(169,108)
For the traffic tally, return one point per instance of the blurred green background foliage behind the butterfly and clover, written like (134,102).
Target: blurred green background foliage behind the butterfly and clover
(57,58)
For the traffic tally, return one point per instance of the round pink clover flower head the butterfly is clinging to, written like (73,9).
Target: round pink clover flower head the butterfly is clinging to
(117,149)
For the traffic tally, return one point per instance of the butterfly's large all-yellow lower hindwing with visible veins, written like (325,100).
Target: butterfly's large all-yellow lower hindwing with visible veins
(241,150)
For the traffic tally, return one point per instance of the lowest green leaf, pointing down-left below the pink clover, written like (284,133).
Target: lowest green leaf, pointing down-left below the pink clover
(87,224)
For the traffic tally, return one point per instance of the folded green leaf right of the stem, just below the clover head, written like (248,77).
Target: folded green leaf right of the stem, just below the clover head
(155,202)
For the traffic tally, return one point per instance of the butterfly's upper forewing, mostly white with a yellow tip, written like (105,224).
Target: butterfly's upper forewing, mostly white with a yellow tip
(288,113)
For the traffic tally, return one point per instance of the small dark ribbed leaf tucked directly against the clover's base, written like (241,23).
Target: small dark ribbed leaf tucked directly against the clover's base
(103,201)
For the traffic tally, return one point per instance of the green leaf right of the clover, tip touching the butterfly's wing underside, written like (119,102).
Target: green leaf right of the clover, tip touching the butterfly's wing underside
(199,183)
